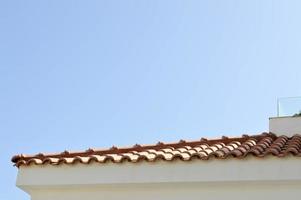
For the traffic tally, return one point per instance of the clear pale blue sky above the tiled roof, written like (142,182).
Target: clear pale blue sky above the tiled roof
(80,74)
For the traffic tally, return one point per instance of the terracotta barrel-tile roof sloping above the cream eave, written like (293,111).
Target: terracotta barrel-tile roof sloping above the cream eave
(204,149)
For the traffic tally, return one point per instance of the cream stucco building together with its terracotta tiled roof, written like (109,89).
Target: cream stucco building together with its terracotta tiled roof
(264,166)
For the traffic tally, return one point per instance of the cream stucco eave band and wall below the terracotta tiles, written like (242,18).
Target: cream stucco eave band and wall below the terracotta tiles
(268,178)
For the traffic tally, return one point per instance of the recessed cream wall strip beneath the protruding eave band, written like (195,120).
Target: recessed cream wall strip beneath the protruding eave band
(185,191)
